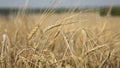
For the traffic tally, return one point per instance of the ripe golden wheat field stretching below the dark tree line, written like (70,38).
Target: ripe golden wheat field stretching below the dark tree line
(66,40)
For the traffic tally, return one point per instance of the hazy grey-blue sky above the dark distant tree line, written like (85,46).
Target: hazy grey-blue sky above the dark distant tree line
(57,3)
